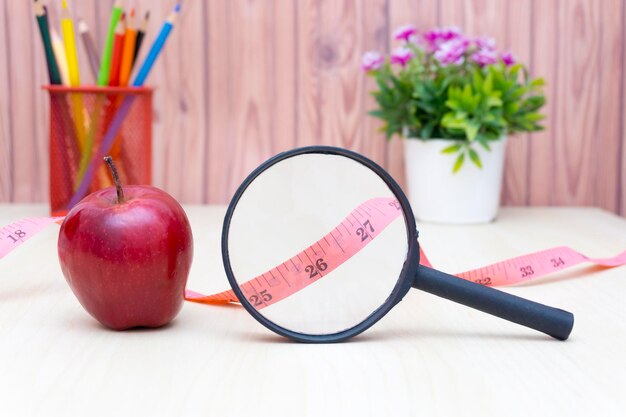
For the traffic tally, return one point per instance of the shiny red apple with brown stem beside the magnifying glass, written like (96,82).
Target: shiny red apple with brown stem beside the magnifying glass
(126,254)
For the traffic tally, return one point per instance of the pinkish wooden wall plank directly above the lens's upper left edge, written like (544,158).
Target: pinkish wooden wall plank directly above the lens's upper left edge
(251,89)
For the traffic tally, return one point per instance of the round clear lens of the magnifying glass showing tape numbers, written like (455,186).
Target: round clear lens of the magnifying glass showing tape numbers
(317,243)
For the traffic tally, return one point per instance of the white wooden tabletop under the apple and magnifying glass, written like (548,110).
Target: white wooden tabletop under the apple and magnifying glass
(427,357)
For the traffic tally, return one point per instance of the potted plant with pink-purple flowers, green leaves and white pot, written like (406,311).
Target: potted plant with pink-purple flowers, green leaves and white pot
(454,100)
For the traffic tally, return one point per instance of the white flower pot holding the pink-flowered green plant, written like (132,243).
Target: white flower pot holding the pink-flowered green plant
(472,195)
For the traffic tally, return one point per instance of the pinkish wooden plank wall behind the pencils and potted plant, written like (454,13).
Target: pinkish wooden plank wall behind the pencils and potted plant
(241,80)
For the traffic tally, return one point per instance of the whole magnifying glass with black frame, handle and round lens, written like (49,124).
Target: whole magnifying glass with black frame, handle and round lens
(319,243)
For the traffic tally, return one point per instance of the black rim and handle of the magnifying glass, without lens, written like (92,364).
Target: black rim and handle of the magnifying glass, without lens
(552,321)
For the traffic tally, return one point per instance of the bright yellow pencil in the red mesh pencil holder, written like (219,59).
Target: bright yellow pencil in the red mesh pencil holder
(67,26)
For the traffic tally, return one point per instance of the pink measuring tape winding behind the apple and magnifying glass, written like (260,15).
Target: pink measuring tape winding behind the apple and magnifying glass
(356,231)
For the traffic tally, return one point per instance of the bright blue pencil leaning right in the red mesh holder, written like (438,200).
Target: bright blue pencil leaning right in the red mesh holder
(124,109)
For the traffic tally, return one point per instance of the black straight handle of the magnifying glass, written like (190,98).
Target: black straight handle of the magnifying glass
(549,320)
